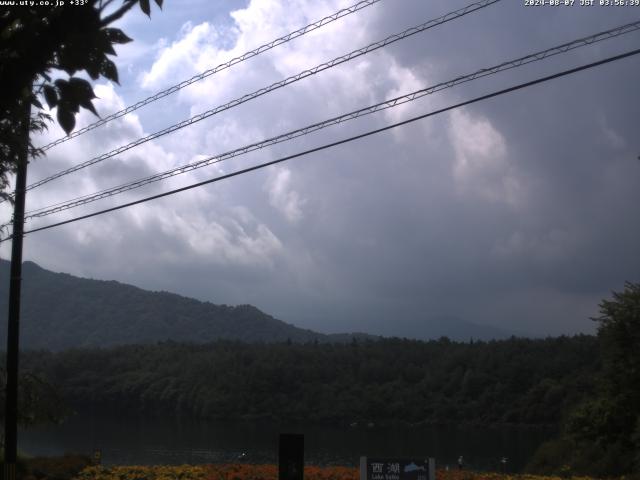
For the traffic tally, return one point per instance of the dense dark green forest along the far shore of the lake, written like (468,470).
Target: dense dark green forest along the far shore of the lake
(516,381)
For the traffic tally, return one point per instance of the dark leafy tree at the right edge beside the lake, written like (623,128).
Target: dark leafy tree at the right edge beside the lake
(603,432)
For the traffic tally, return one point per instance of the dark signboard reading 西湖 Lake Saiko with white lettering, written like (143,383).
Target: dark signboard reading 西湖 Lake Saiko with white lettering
(397,468)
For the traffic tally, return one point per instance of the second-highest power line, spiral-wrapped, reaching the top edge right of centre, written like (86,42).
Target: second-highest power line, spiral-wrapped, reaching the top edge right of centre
(282,83)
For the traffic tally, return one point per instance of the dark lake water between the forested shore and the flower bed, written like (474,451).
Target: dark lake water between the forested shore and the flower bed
(170,441)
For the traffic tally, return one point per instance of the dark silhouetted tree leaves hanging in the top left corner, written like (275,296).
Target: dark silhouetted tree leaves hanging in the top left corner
(40,40)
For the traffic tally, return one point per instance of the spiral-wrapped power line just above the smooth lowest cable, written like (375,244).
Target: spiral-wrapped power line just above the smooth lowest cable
(537,56)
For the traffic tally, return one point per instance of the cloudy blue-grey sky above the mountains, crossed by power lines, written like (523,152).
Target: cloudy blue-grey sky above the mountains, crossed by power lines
(517,212)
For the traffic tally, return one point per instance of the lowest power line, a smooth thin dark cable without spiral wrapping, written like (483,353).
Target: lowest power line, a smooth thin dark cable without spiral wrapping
(339,142)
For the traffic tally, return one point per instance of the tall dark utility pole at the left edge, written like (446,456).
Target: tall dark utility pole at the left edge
(13,327)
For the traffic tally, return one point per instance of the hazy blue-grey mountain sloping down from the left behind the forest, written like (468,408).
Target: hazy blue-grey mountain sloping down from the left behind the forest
(61,311)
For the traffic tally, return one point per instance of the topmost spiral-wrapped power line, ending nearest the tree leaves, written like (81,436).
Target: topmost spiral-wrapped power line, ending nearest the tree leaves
(196,78)
